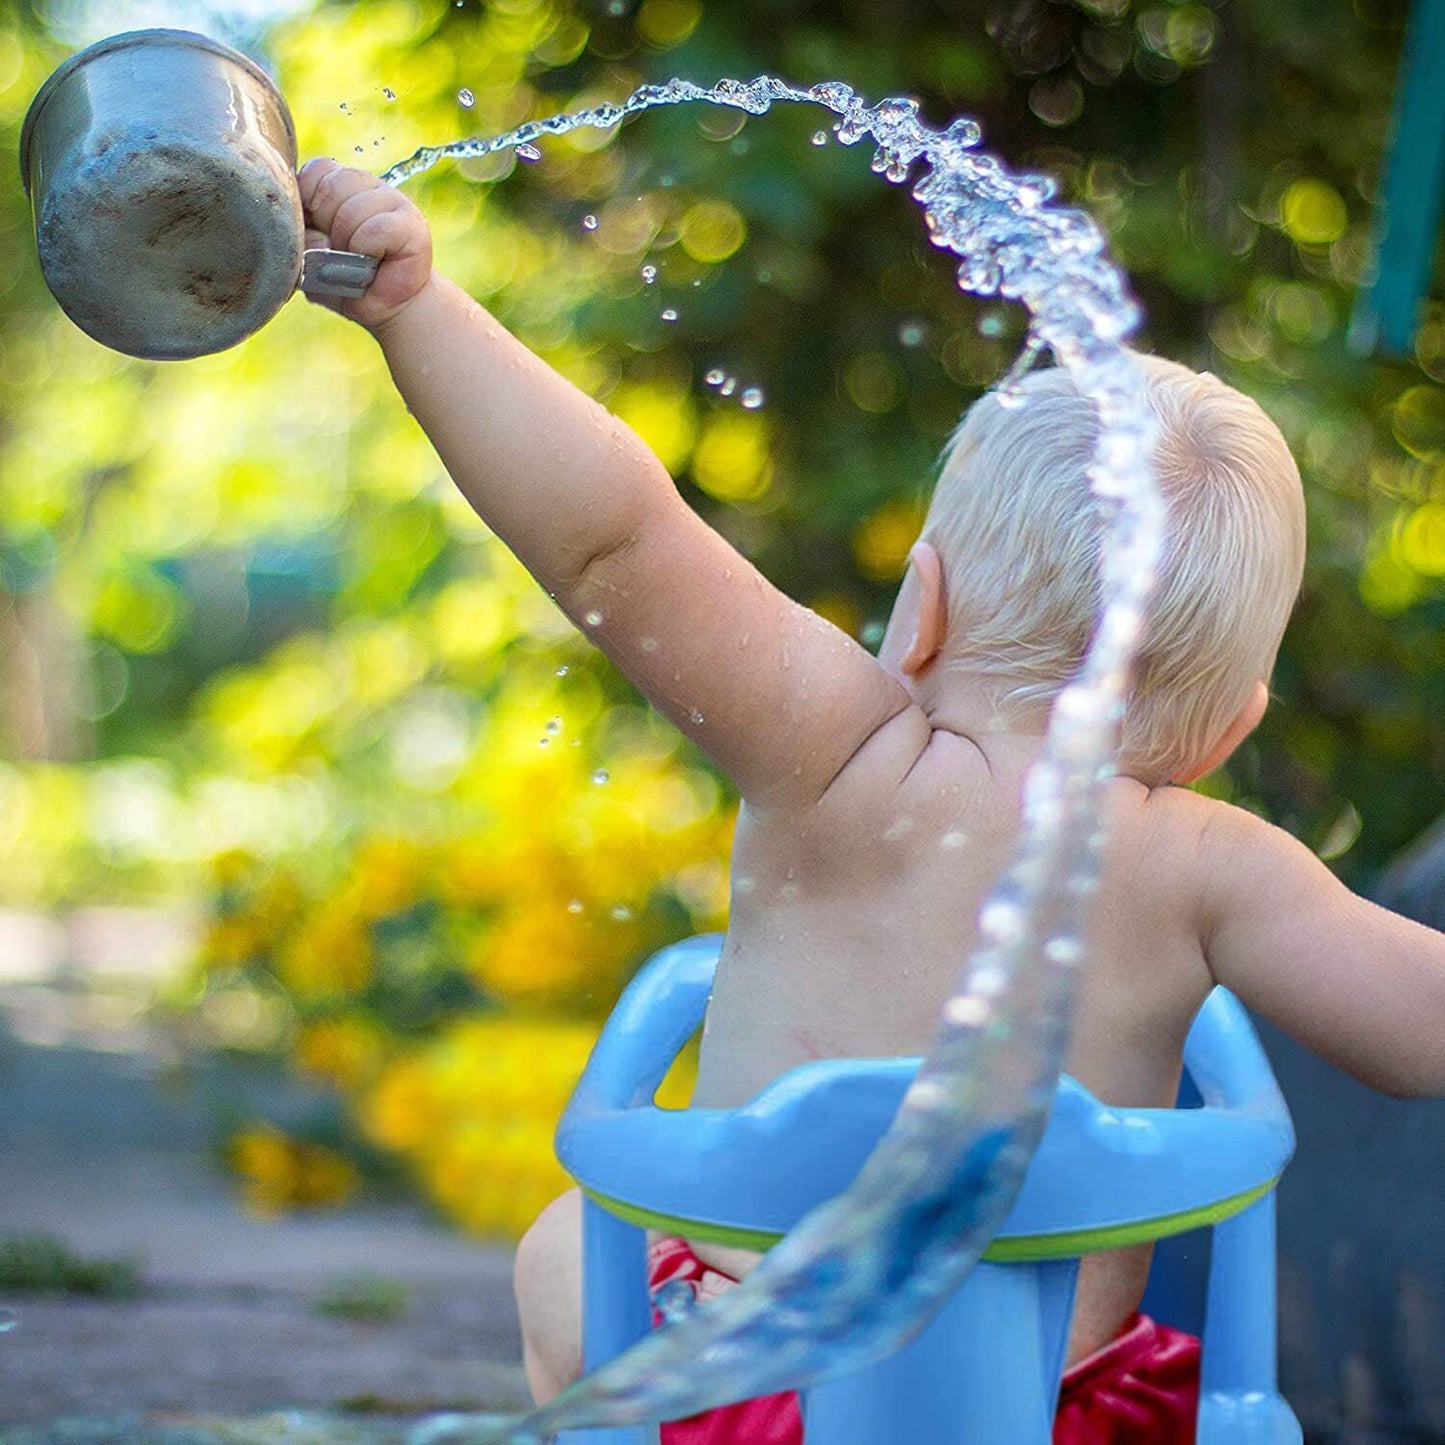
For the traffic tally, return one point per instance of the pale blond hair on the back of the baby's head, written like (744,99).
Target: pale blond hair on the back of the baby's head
(1018,532)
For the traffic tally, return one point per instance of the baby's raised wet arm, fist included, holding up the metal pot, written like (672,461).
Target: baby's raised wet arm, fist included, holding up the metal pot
(780,699)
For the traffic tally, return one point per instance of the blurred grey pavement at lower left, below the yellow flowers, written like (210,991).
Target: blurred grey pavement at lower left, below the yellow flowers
(108,1145)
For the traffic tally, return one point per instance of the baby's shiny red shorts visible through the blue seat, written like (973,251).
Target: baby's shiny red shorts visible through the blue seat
(1141,1389)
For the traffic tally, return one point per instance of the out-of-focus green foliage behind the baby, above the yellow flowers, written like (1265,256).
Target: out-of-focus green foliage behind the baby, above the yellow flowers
(203,564)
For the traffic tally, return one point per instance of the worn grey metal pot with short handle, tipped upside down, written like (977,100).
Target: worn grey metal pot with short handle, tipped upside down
(163,171)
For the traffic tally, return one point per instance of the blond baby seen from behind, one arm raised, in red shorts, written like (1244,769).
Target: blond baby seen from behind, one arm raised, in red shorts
(882,795)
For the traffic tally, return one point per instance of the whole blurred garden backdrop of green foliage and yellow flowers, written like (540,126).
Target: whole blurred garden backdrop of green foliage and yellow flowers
(300,771)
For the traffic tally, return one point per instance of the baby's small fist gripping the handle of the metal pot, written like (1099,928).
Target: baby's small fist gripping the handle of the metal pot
(349,210)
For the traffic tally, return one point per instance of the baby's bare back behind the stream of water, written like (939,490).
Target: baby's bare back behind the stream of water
(852,921)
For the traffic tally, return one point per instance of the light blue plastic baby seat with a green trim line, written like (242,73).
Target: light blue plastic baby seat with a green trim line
(988,1369)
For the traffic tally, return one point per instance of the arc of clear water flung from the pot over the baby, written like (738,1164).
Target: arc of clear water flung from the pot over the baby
(865,1272)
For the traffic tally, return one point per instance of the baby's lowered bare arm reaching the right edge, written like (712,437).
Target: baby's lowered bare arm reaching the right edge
(1356,983)
